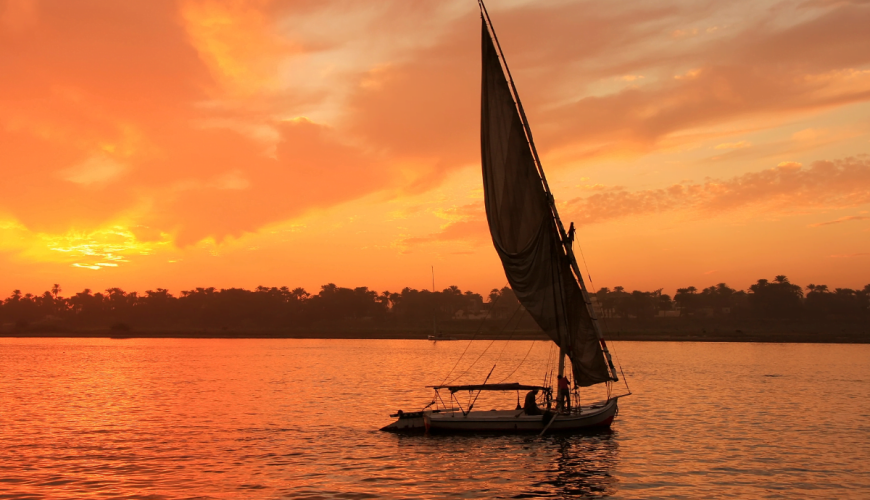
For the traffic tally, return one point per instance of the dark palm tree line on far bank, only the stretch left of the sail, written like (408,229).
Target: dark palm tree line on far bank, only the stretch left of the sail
(238,308)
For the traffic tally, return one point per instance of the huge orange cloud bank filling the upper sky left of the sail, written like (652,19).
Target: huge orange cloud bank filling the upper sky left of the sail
(191,111)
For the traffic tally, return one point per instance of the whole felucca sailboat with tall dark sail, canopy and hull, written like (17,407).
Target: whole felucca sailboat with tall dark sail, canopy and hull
(538,259)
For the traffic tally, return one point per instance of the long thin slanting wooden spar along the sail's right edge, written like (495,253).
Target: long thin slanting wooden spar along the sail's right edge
(569,251)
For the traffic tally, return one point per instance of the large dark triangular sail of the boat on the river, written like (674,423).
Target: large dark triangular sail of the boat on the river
(525,229)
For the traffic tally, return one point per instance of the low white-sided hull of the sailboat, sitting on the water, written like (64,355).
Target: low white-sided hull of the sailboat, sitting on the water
(598,416)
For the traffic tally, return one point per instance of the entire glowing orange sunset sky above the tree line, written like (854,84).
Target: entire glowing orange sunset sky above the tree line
(228,143)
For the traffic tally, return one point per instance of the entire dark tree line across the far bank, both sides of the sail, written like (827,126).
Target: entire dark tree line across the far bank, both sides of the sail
(339,307)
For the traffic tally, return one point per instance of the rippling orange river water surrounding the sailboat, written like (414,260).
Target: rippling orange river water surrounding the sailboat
(189,418)
